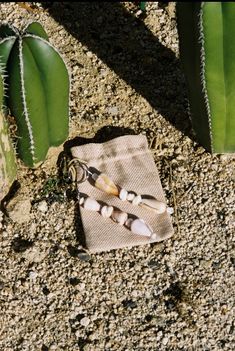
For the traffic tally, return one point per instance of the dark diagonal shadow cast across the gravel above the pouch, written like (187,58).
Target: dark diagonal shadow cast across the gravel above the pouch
(129,48)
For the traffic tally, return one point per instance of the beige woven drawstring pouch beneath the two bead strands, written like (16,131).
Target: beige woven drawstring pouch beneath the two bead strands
(129,163)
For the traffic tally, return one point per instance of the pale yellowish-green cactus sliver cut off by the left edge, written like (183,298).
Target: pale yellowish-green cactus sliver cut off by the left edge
(7,155)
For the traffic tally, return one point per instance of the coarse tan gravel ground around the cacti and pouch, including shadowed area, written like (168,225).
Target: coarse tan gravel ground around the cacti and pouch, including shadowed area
(175,295)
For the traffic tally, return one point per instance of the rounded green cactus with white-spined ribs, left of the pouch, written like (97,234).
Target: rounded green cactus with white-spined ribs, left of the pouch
(38,92)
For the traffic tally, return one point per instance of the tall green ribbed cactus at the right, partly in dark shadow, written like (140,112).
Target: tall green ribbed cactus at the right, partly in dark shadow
(207,50)
